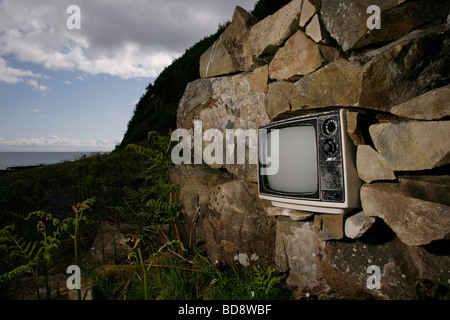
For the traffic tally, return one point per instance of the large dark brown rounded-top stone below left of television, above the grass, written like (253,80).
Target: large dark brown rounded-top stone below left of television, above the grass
(237,227)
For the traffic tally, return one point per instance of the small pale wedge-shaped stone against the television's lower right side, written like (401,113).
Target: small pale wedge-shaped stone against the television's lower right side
(371,166)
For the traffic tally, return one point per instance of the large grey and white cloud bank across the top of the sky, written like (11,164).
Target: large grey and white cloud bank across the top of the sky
(122,38)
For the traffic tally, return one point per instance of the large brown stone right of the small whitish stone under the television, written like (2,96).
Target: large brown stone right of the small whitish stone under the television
(415,221)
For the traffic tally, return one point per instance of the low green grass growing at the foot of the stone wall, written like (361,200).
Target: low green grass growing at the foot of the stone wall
(173,279)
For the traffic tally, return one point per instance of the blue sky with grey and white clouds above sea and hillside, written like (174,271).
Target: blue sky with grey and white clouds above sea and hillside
(72,71)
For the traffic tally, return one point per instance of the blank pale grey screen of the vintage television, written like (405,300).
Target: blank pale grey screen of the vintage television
(297,171)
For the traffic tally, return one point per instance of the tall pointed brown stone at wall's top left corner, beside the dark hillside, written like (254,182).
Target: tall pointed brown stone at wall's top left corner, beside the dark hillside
(230,53)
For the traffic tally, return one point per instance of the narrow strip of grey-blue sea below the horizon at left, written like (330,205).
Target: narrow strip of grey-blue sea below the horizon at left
(25,159)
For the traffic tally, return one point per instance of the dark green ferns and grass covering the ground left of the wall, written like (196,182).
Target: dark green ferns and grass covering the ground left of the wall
(51,216)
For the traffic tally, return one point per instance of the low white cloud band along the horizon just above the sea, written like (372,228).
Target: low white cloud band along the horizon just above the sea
(55,143)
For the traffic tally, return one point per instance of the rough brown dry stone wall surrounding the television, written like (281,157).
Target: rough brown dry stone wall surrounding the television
(315,55)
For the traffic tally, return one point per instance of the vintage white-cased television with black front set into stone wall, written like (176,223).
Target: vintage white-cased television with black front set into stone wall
(309,163)
